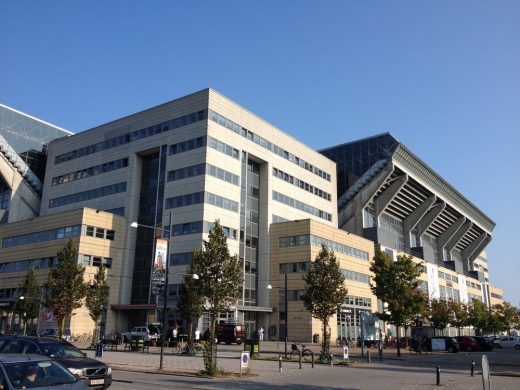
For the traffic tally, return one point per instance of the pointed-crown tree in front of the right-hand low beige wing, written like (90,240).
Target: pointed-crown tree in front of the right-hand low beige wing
(324,292)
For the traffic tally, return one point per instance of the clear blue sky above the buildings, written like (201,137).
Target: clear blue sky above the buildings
(442,76)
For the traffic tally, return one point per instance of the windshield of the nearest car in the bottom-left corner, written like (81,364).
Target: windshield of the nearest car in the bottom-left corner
(26,375)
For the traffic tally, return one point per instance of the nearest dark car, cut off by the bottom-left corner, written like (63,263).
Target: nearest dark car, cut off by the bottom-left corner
(36,372)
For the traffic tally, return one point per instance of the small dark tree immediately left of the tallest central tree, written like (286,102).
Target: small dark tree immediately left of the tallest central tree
(191,302)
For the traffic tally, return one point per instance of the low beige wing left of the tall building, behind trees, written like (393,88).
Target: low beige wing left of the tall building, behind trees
(100,239)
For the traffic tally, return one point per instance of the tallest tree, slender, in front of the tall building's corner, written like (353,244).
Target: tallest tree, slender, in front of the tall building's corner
(220,284)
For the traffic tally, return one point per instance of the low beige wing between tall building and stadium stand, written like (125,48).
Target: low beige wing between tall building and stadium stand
(298,242)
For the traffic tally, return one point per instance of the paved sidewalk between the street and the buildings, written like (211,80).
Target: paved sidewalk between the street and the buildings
(228,359)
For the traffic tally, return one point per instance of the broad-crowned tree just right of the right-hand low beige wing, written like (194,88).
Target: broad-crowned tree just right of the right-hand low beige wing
(395,283)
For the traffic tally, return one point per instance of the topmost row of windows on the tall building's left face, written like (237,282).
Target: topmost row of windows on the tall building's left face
(132,136)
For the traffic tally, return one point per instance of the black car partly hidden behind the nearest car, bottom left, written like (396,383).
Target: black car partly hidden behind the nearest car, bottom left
(92,372)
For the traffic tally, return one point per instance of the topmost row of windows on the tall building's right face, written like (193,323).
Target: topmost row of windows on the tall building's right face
(223,121)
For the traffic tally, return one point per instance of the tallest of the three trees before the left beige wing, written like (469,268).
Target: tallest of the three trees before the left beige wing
(66,285)
